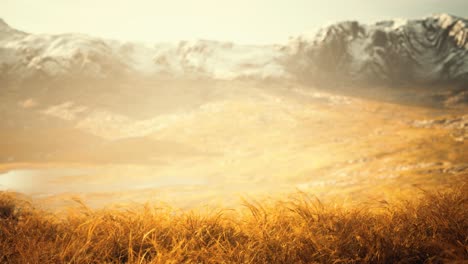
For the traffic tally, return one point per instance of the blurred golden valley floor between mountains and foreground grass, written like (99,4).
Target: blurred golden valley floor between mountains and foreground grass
(234,140)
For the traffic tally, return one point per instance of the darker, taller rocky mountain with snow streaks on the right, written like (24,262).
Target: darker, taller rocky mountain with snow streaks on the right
(429,50)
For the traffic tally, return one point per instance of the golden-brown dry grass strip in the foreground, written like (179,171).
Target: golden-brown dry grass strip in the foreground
(301,230)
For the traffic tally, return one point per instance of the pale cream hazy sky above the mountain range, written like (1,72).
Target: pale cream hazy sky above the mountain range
(243,21)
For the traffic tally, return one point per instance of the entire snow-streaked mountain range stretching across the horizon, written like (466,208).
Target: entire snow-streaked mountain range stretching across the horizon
(428,50)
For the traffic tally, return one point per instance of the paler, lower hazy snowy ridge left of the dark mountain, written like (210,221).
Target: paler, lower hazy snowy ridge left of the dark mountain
(25,55)
